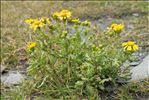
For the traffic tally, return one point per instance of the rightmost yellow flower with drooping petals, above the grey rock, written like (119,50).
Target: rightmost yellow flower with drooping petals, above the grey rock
(130,46)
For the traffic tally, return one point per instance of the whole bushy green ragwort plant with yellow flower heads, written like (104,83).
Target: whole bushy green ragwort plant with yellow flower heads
(67,57)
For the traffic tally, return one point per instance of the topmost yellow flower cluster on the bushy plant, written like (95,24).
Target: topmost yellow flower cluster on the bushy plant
(64,14)
